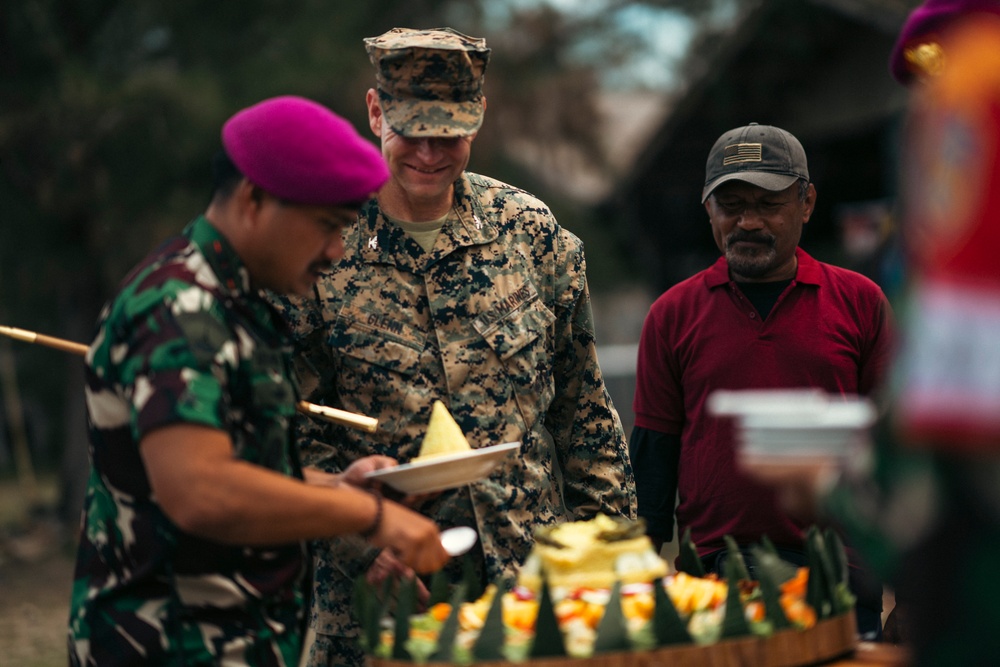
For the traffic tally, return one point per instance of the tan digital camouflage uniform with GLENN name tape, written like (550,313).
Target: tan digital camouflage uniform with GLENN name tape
(496,322)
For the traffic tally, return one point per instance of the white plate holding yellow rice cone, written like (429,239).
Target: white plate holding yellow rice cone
(444,472)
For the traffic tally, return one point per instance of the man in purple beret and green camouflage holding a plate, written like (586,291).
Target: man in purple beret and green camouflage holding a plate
(193,542)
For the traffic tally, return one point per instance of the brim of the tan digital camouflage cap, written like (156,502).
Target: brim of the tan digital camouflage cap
(419,118)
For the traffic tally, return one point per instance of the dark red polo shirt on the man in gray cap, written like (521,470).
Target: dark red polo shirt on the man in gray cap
(829,329)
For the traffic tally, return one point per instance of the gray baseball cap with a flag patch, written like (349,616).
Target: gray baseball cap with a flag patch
(762,155)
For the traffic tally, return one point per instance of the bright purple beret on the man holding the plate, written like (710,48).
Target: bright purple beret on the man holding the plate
(302,152)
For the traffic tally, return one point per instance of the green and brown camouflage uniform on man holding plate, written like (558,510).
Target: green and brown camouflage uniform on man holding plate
(185,341)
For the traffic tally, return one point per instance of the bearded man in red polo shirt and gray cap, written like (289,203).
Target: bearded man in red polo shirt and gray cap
(765,315)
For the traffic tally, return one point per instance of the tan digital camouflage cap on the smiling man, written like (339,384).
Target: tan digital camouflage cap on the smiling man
(430,82)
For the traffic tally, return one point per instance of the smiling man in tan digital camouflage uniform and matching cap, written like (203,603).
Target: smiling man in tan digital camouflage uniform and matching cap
(461,288)
